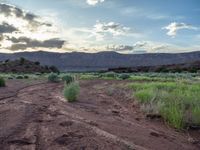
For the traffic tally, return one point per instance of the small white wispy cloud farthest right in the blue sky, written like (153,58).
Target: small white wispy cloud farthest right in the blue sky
(174,27)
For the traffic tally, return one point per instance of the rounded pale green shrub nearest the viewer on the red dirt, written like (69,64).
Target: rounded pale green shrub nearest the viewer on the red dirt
(71,91)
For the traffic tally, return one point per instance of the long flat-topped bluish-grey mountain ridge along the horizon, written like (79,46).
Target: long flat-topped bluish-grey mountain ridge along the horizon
(78,61)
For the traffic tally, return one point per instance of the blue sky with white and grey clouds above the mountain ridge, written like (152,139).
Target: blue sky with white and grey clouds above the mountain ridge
(124,26)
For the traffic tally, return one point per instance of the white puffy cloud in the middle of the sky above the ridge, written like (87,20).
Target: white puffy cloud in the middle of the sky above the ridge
(102,29)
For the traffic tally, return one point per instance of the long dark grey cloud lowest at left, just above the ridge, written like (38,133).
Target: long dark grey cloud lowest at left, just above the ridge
(23,43)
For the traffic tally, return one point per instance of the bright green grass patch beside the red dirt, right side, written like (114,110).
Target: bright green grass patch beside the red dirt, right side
(177,102)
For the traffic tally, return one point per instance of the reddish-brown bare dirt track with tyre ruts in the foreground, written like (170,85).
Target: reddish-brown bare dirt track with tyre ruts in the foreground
(38,118)
